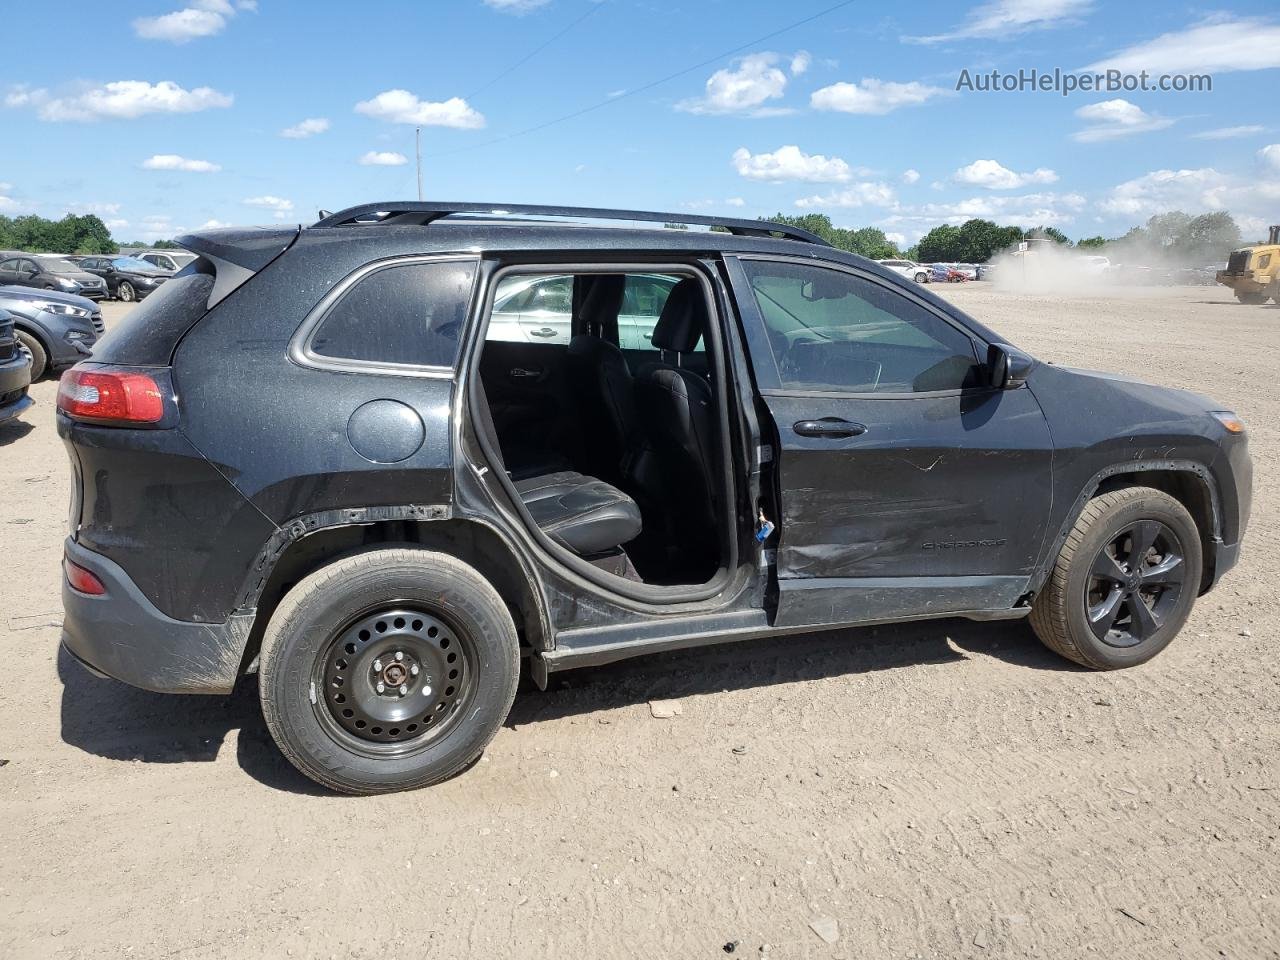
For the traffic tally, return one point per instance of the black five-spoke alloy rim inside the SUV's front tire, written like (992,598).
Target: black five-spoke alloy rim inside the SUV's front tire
(1135,583)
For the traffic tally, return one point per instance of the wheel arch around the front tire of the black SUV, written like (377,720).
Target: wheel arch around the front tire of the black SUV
(1187,482)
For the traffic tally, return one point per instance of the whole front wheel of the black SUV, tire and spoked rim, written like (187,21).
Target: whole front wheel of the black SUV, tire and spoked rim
(1124,583)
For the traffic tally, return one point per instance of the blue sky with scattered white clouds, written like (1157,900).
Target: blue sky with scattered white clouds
(185,113)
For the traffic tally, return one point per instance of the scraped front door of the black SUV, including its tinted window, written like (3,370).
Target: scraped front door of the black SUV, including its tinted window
(908,488)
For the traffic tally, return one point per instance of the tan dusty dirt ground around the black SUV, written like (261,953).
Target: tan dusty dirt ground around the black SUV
(936,790)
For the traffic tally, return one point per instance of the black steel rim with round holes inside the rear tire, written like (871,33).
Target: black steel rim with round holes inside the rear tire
(392,682)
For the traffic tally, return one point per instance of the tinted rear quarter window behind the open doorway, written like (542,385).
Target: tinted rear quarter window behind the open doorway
(408,314)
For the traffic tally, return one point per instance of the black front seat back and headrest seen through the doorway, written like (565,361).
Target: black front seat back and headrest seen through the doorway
(678,417)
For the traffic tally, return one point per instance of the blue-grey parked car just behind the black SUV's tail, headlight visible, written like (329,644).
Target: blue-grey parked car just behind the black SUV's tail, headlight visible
(57,330)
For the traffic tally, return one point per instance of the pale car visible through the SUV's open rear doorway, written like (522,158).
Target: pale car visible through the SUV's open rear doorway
(541,309)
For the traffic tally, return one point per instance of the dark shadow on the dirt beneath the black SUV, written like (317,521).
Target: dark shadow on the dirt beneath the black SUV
(120,723)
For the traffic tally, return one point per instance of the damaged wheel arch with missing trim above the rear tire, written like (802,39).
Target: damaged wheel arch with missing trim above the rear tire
(309,543)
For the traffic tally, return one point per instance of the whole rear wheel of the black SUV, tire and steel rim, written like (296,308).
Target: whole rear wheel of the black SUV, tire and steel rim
(388,670)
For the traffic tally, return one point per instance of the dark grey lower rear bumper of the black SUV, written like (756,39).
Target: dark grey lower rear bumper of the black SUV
(122,636)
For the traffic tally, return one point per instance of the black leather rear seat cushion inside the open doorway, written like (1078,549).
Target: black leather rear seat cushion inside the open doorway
(580,513)
